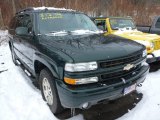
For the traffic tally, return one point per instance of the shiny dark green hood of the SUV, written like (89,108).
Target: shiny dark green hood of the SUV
(91,47)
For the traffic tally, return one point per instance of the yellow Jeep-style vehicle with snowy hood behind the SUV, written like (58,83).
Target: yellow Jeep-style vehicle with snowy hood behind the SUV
(125,27)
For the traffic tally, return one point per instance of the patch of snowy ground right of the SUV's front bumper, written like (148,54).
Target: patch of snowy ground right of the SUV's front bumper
(149,107)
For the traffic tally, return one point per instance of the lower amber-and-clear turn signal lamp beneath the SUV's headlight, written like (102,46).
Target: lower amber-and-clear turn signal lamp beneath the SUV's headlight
(80,81)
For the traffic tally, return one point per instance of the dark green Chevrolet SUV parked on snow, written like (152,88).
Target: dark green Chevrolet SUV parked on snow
(75,65)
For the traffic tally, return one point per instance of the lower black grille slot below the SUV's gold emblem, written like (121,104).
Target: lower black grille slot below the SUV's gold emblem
(116,77)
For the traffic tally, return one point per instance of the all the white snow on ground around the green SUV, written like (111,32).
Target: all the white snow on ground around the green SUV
(20,100)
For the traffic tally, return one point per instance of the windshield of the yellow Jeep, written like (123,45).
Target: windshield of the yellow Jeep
(118,23)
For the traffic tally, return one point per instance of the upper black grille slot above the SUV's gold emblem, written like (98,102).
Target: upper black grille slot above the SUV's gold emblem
(122,61)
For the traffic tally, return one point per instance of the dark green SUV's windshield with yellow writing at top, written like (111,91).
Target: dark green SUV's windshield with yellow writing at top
(64,21)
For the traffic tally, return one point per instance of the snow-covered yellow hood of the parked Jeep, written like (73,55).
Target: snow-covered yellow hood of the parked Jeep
(137,35)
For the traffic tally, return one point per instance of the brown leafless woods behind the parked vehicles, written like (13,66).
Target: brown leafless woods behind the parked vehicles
(142,11)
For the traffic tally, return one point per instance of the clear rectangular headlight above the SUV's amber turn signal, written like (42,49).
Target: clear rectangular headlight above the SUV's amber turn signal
(79,67)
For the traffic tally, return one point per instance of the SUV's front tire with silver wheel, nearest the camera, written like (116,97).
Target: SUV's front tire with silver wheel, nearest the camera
(49,91)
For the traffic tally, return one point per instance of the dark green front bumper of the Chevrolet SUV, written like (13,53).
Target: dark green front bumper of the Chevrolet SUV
(75,97)
